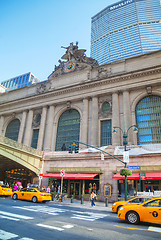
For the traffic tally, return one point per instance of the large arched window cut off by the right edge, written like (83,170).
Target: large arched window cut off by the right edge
(148,119)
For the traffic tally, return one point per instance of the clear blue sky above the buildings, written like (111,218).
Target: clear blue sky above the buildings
(33,31)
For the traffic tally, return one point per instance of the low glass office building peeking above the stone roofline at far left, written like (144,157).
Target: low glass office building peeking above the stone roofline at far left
(20,81)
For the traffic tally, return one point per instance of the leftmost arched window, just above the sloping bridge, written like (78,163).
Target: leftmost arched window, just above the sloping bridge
(12,130)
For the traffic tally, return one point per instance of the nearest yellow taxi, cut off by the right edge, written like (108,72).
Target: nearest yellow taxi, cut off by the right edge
(149,211)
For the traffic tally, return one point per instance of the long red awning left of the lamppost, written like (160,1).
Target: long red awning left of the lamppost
(71,175)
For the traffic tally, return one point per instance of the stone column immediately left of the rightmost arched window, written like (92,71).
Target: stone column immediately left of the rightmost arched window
(127,115)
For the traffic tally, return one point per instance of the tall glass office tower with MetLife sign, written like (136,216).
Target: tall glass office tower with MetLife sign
(125,29)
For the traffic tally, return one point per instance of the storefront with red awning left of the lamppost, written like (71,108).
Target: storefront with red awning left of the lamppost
(74,184)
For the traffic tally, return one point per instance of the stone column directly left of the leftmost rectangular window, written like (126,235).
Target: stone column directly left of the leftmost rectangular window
(28,130)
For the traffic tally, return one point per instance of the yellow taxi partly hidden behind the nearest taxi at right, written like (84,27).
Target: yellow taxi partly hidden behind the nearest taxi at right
(116,206)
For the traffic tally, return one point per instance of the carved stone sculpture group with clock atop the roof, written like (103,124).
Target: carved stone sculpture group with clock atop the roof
(75,59)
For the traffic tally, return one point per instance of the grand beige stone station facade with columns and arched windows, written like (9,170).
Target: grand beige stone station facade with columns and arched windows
(83,101)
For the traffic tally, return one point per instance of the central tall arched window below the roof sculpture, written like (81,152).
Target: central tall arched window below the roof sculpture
(68,129)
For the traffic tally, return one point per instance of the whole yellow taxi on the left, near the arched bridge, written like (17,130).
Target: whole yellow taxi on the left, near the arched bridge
(31,194)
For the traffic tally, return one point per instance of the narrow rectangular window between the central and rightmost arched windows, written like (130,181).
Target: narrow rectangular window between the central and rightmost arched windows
(106,133)
